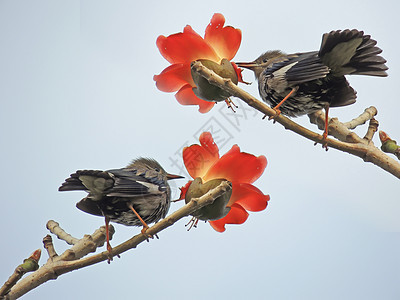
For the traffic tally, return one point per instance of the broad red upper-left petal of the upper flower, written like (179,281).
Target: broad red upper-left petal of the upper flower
(184,47)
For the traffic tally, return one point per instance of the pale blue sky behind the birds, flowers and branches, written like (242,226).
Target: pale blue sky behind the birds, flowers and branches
(77,92)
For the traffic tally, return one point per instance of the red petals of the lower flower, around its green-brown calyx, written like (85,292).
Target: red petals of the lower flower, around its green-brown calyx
(240,168)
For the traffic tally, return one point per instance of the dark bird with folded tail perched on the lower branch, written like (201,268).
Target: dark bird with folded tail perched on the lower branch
(135,195)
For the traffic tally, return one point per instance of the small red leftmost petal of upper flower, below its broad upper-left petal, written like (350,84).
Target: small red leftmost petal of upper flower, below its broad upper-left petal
(174,77)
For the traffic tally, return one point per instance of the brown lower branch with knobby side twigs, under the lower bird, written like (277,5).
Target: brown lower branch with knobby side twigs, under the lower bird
(73,258)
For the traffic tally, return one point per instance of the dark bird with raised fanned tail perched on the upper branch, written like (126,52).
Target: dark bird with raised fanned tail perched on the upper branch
(302,83)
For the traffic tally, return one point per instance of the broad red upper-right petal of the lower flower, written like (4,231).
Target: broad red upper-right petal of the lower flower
(250,166)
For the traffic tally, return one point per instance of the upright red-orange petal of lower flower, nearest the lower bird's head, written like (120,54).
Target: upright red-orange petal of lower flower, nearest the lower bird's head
(198,159)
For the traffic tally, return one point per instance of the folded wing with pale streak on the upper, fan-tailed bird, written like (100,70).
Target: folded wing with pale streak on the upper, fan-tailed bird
(298,68)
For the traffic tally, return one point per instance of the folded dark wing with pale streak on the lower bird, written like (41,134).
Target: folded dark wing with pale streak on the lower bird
(128,184)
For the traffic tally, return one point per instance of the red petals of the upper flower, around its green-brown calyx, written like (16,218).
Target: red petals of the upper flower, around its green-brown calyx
(182,48)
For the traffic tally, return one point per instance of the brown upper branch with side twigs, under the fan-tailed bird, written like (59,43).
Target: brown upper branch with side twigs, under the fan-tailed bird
(347,141)
